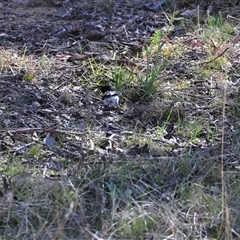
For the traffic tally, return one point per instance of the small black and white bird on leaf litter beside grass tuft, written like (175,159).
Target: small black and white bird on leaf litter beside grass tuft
(110,97)
